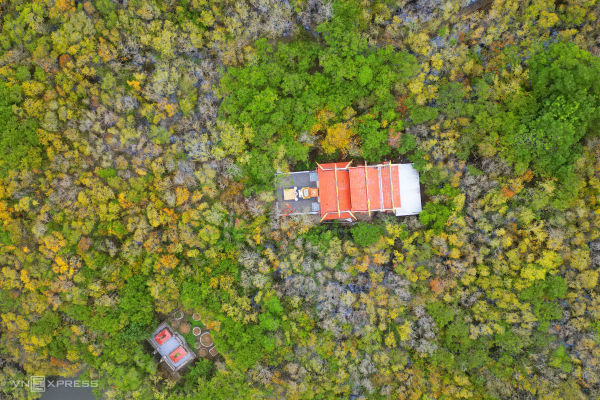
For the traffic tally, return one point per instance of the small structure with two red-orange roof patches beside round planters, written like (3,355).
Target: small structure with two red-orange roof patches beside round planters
(171,347)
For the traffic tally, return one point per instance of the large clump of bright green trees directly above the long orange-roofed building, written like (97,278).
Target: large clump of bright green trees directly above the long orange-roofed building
(337,87)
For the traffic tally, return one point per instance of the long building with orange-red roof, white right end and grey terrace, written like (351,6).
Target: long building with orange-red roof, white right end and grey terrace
(341,191)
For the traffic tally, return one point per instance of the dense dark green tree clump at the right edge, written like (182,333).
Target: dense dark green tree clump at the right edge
(559,107)
